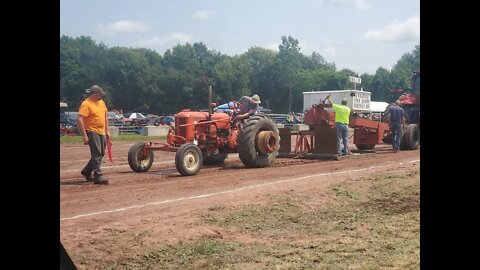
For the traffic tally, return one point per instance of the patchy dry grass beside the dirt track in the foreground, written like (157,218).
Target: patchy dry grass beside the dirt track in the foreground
(370,223)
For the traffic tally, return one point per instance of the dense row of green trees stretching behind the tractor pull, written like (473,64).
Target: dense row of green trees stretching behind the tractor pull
(139,79)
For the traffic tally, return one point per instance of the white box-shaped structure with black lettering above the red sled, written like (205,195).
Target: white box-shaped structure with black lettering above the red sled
(358,101)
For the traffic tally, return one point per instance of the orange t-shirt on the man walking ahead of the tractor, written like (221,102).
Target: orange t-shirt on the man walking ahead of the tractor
(95,115)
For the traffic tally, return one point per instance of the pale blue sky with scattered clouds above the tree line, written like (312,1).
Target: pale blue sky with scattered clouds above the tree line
(361,35)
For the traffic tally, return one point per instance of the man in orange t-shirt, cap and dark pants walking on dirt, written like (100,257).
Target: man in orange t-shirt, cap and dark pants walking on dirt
(92,123)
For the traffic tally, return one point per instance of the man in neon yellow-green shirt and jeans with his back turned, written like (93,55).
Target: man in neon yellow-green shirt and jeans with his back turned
(342,119)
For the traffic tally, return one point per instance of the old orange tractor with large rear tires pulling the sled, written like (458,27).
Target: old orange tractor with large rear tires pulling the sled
(202,138)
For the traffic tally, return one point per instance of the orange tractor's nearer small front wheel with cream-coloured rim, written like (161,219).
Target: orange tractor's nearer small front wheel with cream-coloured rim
(188,159)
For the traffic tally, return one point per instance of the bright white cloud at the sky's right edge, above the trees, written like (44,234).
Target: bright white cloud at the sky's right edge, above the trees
(408,30)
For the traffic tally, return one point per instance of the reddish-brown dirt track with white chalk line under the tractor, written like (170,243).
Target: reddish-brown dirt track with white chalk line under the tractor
(137,211)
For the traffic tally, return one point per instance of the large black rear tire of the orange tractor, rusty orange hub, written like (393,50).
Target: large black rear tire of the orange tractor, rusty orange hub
(250,152)
